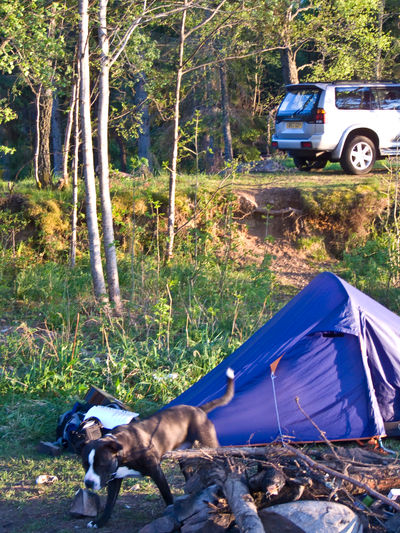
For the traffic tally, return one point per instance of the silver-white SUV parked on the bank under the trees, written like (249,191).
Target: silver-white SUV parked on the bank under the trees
(351,122)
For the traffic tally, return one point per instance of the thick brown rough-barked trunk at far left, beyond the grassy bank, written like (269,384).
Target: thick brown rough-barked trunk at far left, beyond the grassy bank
(44,130)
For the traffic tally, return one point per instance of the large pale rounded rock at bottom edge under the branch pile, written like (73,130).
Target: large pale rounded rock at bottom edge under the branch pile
(318,516)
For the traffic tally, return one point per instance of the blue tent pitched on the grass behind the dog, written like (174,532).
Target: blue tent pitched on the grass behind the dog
(332,347)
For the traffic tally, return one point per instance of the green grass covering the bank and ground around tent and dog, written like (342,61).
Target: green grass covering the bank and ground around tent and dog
(182,318)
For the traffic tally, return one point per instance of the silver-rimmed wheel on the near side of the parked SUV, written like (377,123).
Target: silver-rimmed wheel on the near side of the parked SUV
(359,156)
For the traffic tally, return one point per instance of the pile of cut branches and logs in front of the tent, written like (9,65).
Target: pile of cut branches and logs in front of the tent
(250,479)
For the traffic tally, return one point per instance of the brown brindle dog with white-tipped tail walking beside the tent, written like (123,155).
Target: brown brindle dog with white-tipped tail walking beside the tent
(136,449)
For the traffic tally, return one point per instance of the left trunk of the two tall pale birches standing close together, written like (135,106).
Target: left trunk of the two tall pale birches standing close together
(88,163)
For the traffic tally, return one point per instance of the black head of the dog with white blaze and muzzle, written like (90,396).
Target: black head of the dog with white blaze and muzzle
(100,461)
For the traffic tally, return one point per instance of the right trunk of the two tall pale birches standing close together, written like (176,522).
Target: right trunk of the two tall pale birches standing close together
(106,207)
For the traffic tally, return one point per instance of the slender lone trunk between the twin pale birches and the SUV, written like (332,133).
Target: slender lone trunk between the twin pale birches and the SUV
(174,161)
